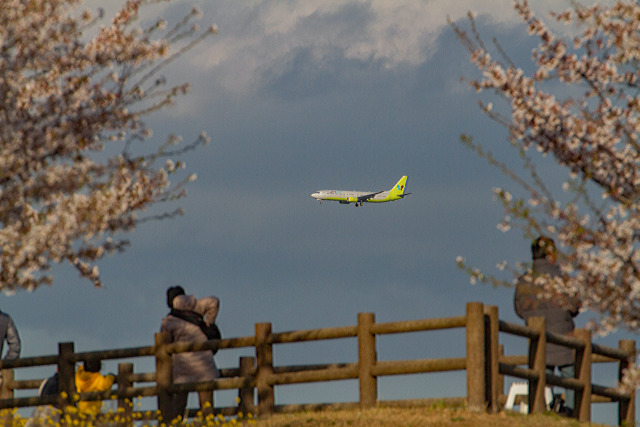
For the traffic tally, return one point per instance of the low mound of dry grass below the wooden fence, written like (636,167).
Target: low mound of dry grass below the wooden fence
(418,416)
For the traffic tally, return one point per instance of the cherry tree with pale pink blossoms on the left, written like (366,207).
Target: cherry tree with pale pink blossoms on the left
(77,163)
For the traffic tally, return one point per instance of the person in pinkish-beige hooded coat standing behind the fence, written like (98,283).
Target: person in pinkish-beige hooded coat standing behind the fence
(190,366)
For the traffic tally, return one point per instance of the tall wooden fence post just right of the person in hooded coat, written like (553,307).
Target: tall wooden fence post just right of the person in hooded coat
(264,364)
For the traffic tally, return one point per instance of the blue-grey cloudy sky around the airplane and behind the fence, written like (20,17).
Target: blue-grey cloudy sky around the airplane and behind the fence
(299,96)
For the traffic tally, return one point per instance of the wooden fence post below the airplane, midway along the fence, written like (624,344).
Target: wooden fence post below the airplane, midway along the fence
(366,361)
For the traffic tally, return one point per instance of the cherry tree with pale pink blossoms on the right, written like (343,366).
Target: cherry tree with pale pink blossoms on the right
(576,105)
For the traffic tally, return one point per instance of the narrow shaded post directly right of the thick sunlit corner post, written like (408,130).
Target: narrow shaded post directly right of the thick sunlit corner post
(491,357)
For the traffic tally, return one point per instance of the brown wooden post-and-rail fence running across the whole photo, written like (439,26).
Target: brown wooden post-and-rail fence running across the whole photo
(484,362)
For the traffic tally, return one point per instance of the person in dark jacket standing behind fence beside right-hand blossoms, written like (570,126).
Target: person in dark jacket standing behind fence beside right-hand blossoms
(530,300)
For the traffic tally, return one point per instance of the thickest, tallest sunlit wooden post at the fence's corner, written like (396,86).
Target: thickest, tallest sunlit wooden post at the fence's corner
(475,357)
